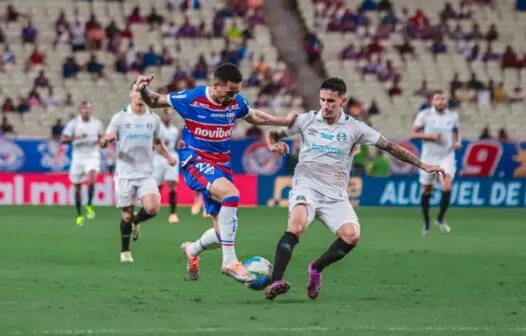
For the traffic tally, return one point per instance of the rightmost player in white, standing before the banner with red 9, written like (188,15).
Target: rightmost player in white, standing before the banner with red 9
(438,128)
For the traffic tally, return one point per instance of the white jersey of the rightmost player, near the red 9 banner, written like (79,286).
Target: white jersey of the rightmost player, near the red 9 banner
(433,122)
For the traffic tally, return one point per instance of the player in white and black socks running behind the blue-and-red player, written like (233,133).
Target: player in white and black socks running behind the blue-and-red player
(137,131)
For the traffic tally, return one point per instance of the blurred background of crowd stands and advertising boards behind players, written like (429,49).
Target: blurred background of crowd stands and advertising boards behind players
(392,54)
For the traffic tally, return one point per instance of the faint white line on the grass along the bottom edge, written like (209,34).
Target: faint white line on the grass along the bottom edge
(169,331)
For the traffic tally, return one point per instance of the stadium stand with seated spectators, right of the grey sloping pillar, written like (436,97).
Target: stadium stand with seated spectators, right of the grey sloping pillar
(393,53)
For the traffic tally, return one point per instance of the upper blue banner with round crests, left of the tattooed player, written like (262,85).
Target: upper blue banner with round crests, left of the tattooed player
(40,156)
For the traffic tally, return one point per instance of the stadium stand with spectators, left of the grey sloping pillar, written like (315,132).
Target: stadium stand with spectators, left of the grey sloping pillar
(57,53)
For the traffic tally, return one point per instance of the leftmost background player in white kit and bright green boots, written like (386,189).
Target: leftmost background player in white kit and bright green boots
(84,133)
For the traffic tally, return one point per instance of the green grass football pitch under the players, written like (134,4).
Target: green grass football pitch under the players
(59,279)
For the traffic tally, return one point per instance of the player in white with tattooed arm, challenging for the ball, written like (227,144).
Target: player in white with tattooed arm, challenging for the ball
(321,177)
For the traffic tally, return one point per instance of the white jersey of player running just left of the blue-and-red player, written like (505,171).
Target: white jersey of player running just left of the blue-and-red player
(135,142)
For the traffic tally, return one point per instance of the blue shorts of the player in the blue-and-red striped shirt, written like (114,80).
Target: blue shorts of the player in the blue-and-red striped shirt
(199,176)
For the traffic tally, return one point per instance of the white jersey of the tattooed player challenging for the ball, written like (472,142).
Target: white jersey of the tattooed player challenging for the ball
(325,158)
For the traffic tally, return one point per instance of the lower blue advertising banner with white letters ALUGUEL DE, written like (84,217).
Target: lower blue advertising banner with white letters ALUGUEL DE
(404,191)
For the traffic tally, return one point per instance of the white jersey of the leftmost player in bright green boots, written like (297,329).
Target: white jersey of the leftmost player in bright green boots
(90,131)
